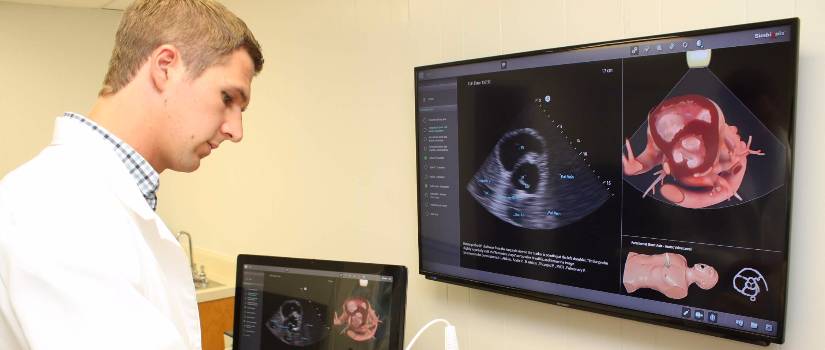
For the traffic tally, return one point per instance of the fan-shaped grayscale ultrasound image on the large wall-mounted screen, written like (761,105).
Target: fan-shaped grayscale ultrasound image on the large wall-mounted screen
(535,182)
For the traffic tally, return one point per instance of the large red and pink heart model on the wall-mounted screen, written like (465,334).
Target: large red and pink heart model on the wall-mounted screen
(705,156)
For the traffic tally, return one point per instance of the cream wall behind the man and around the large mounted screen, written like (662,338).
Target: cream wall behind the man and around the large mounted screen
(327,168)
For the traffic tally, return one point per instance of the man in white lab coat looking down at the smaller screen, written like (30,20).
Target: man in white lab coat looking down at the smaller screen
(85,262)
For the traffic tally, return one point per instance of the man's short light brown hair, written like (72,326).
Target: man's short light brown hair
(204,31)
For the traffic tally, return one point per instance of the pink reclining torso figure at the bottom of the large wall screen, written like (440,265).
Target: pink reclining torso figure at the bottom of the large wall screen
(667,273)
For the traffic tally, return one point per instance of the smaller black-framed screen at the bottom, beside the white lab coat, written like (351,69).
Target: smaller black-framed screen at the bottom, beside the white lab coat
(292,303)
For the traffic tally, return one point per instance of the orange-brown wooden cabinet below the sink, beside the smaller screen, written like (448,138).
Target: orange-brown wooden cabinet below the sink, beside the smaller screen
(216,317)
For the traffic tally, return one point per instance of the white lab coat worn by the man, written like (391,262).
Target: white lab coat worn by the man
(85,263)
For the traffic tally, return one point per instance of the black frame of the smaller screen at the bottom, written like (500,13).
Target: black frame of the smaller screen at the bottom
(399,285)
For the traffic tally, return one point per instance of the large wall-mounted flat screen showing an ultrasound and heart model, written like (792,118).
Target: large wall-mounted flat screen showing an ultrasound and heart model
(648,178)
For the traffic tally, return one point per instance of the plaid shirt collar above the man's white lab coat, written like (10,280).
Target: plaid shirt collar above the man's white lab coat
(146,178)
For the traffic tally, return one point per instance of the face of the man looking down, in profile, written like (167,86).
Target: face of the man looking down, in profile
(203,112)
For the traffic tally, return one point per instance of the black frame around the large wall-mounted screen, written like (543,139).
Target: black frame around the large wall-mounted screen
(687,325)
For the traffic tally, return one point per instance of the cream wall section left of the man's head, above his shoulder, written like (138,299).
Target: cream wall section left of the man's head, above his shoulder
(51,60)
